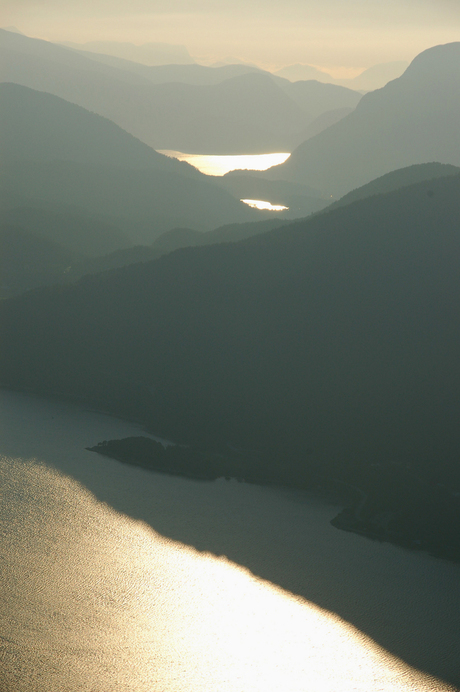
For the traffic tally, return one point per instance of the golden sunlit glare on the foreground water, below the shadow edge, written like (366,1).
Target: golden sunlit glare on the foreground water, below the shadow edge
(98,601)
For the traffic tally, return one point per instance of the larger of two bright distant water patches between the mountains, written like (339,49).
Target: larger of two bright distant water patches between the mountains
(219,165)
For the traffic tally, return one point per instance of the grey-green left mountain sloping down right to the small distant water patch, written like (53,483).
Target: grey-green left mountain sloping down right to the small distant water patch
(56,153)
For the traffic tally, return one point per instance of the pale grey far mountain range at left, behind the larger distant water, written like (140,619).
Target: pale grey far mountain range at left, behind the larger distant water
(251,113)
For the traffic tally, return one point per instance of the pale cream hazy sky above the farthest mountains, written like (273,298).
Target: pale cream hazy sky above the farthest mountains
(328,33)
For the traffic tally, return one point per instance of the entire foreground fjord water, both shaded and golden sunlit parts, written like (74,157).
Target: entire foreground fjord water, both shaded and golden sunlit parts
(121,580)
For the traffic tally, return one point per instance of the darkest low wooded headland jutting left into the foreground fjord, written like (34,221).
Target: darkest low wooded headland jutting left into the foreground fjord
(392,502)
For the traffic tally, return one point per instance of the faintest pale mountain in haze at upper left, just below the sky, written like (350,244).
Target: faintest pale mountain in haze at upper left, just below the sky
(147,53)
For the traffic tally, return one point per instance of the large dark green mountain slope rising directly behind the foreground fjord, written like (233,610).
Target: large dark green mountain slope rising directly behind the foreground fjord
(338,335)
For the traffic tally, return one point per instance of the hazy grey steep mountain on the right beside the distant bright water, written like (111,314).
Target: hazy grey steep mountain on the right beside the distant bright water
(413,119)
